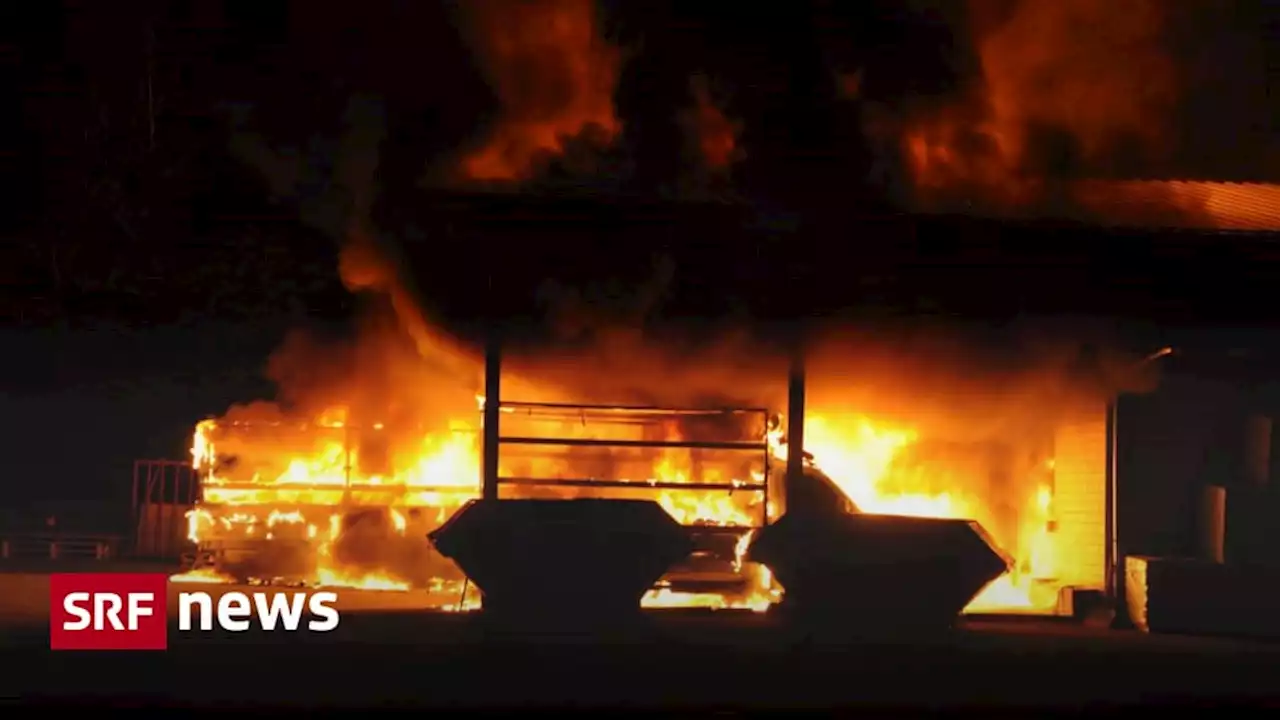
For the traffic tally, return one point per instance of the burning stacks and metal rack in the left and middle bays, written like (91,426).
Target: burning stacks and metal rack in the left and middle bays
(326,504)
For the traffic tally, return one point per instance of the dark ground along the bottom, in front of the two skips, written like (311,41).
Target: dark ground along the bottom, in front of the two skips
(385,654)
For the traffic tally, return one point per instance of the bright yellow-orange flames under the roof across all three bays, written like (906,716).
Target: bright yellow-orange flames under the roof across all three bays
(299,487)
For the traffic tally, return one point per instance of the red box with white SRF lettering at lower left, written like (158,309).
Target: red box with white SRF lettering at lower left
(108,612)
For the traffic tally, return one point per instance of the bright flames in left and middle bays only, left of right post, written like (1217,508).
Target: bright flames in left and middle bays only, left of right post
(295,485)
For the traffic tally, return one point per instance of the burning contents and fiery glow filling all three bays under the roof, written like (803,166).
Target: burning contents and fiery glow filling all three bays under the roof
(328,502)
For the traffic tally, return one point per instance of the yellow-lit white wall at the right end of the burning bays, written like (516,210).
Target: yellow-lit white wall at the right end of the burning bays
(1080,481)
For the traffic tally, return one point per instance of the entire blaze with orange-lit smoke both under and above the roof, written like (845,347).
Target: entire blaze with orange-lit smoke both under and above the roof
(377,444)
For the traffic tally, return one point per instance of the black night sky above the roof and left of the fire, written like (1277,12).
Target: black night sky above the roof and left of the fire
(180,175)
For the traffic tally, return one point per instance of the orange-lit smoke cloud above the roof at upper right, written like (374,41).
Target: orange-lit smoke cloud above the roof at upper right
(1096,78)
